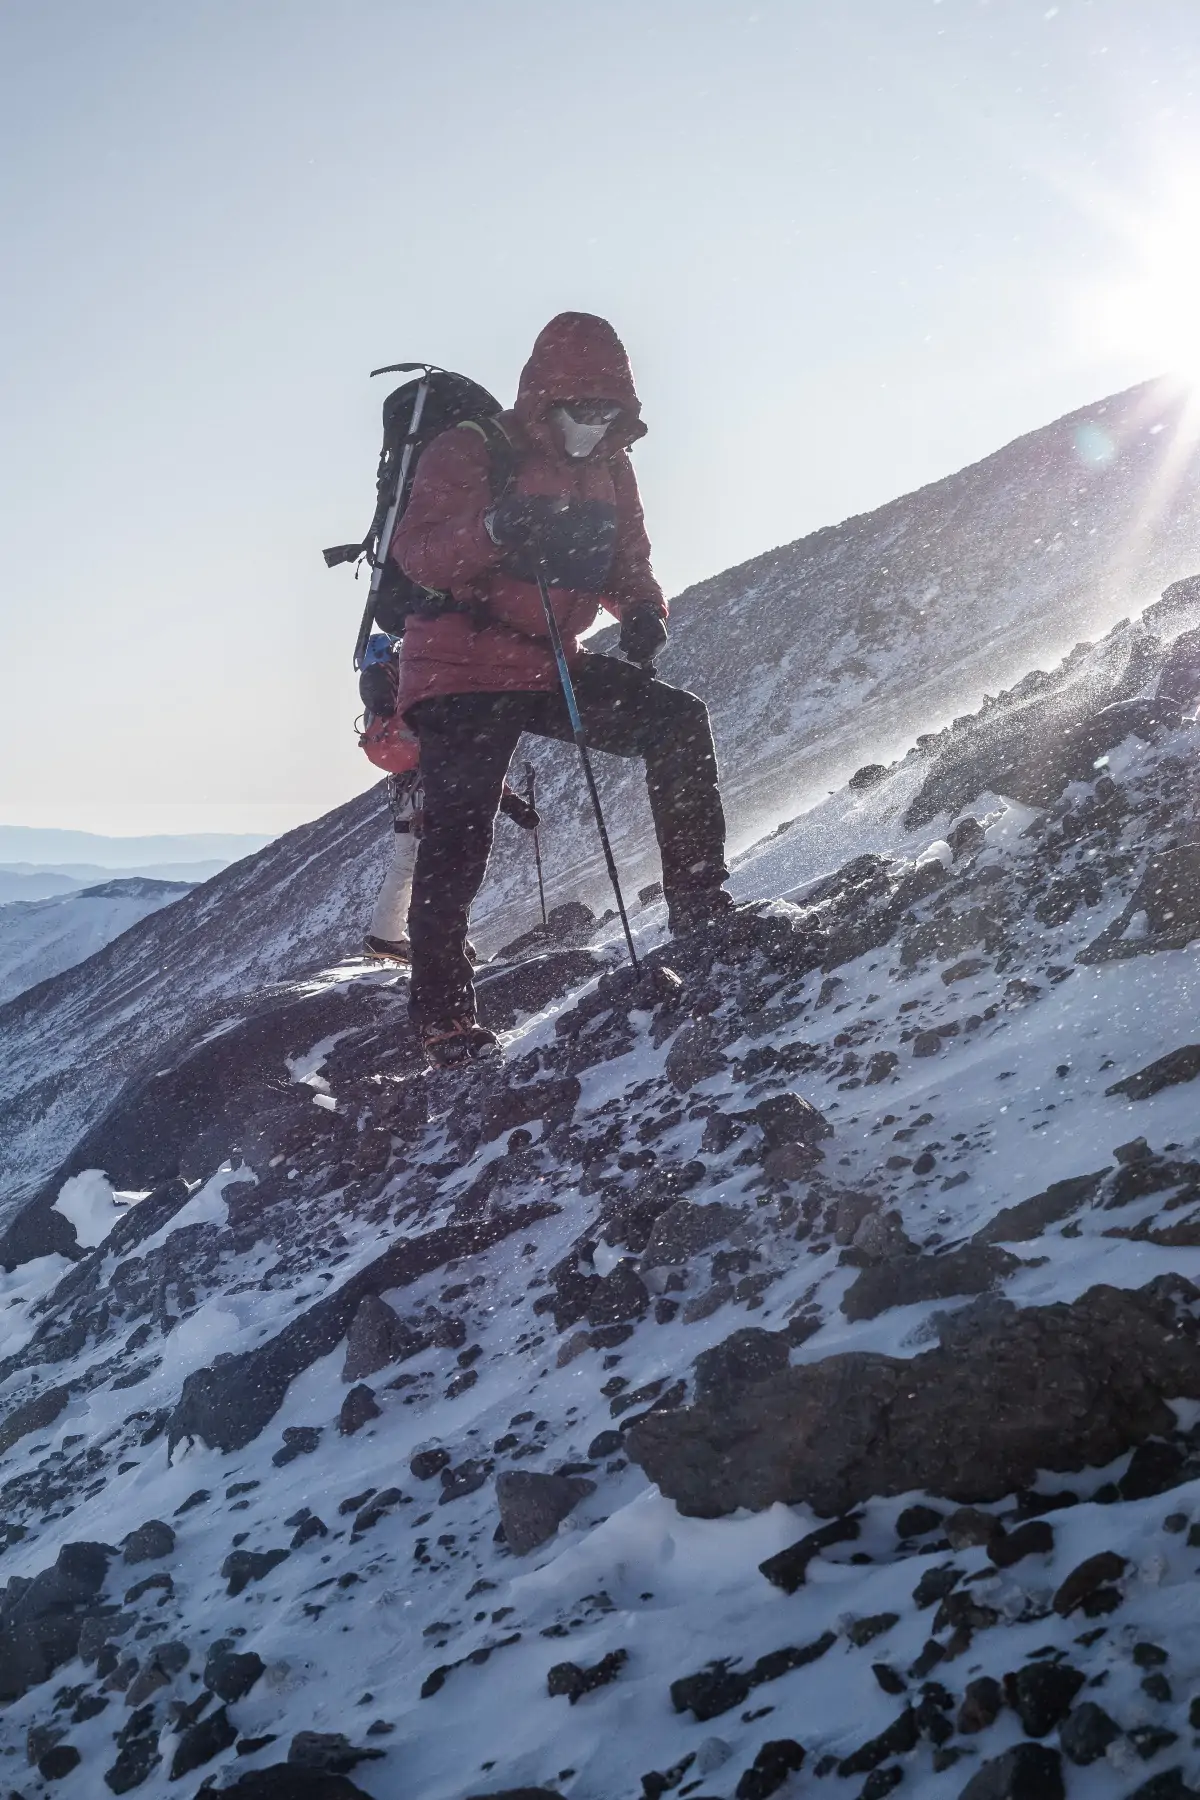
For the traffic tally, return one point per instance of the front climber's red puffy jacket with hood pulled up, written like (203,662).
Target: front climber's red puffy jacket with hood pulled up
(443,543)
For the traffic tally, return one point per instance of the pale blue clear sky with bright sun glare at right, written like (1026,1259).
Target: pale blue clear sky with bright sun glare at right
(850,247)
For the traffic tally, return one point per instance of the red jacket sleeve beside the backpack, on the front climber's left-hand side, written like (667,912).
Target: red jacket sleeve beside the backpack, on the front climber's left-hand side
(442,539)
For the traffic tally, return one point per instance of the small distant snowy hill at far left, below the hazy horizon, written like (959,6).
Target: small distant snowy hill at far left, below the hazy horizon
(40,939)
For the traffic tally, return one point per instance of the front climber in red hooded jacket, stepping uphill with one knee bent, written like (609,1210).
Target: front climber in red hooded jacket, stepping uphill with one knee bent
(481,670)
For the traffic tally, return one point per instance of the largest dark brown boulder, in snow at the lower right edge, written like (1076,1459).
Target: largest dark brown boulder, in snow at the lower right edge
(1007,1394)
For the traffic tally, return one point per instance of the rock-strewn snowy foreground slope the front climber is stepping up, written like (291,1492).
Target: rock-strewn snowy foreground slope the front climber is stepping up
(881,1218)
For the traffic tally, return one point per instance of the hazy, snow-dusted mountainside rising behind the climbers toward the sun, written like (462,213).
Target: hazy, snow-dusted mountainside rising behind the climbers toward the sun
(816,658)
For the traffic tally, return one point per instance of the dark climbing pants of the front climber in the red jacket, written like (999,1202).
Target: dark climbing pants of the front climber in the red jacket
(467,746)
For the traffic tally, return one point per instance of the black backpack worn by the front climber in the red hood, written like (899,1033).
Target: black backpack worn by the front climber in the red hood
(449,400)
